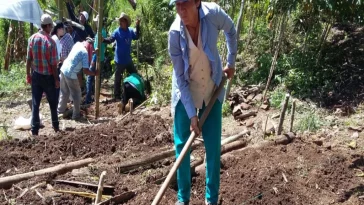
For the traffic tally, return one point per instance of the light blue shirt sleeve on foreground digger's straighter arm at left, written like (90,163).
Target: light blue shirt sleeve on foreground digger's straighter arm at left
(175,53)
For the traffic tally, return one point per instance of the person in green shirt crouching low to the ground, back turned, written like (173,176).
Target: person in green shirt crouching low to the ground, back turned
(134,88)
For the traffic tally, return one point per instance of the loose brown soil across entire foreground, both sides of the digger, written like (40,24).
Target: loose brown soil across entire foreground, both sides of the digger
(314,174)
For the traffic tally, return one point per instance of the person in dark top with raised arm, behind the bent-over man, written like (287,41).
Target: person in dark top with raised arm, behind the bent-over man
(79,35)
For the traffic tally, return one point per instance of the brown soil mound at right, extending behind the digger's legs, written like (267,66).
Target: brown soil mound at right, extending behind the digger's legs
(298,173)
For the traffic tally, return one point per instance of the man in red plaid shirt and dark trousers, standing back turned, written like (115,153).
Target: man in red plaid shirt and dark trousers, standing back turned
(42,74)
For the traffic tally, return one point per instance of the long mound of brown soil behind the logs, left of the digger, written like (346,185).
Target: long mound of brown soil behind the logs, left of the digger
(132,136)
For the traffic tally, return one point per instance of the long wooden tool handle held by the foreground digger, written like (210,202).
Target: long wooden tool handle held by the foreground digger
(188,144)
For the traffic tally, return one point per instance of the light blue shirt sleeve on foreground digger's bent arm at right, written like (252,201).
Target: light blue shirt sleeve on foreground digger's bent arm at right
(226,24)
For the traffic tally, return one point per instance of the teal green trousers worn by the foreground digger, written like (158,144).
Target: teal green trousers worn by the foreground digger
(211,132)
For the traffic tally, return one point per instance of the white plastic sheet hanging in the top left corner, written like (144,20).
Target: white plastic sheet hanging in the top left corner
(21,10)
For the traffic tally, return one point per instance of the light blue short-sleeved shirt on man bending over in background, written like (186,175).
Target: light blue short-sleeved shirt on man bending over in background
(76,60)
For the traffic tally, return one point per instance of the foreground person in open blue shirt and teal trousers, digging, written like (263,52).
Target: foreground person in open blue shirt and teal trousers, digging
(197,71)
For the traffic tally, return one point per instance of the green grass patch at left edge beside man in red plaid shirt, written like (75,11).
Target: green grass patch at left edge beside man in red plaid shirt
(13,81)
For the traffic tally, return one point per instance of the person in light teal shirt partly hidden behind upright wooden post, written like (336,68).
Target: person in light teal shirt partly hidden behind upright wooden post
(90,79)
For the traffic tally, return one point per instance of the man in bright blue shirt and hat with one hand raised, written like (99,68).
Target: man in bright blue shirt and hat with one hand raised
(123,37)
